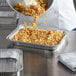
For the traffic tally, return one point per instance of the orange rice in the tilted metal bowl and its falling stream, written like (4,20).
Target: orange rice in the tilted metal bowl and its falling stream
(35,8)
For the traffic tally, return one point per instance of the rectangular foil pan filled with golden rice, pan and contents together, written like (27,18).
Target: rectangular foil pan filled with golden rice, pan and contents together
(39,38)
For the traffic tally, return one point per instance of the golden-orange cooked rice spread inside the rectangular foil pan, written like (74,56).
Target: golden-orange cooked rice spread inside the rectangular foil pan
(38,36)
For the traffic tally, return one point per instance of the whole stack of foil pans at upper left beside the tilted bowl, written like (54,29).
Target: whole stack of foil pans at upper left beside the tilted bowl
(8,18)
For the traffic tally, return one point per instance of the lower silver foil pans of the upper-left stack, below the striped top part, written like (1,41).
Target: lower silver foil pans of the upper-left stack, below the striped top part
(8,18)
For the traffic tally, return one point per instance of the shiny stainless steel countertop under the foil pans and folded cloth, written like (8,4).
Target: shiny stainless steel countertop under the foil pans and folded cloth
(39,62)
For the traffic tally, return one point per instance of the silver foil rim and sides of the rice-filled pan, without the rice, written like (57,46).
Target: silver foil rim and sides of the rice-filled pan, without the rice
(32,45)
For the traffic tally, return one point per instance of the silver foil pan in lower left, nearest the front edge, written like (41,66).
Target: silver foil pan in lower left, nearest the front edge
(11,60)
